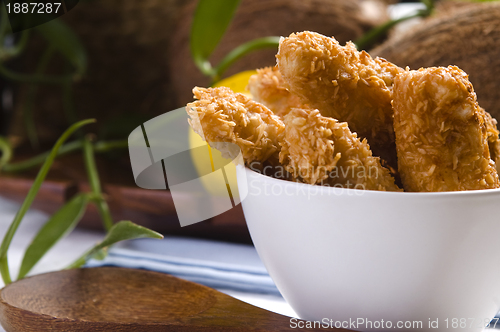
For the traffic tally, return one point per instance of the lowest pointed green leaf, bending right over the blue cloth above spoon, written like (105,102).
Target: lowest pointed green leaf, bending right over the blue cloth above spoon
(124,230)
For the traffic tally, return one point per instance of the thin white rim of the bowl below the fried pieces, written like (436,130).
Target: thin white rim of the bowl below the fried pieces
(355,192)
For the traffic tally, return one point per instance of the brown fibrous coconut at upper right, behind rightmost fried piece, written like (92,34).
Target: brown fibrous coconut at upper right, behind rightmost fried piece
(467,36)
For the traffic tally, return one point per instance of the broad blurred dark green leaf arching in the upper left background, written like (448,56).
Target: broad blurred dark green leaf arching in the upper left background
(65,41)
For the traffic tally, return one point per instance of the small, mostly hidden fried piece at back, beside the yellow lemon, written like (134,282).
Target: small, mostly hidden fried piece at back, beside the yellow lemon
(267,88)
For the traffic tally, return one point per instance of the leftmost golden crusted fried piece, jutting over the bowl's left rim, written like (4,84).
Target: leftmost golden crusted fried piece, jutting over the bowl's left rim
(220,115)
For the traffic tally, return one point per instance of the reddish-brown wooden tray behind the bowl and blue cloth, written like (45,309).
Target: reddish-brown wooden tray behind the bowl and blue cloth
(151,208)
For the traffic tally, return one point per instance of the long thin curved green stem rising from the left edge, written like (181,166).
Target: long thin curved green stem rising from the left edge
(4,247)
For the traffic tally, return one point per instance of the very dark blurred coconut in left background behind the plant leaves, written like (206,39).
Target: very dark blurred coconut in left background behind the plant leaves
(128,76)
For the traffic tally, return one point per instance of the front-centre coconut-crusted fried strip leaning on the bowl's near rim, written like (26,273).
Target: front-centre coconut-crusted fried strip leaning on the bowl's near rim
(321,150)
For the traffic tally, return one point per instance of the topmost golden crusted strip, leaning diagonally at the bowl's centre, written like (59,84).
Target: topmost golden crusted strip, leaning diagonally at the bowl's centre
(342,83)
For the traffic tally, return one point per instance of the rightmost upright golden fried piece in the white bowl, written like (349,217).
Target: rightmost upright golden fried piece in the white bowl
(441,134)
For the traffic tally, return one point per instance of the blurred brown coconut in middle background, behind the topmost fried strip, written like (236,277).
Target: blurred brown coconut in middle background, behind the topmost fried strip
(343,19)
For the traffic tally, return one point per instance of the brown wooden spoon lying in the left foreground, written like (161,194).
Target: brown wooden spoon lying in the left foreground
(118,299)
